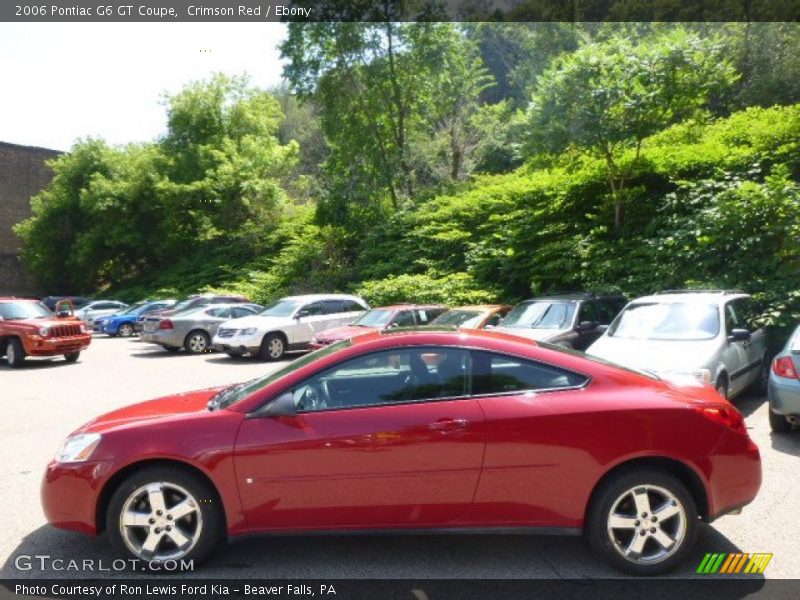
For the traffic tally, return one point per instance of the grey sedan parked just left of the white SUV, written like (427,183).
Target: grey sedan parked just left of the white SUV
(191,329)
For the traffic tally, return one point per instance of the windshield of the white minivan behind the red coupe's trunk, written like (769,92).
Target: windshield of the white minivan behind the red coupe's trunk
(667,321)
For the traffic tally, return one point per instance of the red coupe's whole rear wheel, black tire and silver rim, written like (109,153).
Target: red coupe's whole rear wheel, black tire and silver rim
(619,545)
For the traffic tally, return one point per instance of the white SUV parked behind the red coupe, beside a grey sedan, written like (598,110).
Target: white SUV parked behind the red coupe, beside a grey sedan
(287,325)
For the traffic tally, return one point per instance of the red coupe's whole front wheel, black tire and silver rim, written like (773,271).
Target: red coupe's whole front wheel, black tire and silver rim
(192,536)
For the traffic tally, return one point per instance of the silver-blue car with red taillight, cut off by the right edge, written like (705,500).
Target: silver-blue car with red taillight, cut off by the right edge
(784,386)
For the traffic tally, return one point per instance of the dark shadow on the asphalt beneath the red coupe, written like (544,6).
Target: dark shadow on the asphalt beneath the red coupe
(380,556)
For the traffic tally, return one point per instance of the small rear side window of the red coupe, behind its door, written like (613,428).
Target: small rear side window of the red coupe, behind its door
(501,374)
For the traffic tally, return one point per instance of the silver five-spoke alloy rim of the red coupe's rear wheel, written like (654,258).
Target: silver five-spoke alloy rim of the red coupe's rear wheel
(646,524)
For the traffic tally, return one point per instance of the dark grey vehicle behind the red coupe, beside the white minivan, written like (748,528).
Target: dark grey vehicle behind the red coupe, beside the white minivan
(573,320)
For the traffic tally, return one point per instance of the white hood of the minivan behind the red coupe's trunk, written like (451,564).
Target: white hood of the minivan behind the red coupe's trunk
(655,355)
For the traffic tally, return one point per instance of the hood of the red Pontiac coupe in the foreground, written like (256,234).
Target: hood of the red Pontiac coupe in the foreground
(159,409)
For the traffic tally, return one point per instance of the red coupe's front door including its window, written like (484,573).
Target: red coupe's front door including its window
(379,440)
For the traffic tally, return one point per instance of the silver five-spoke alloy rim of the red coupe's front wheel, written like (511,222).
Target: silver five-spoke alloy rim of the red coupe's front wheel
(160,521)
